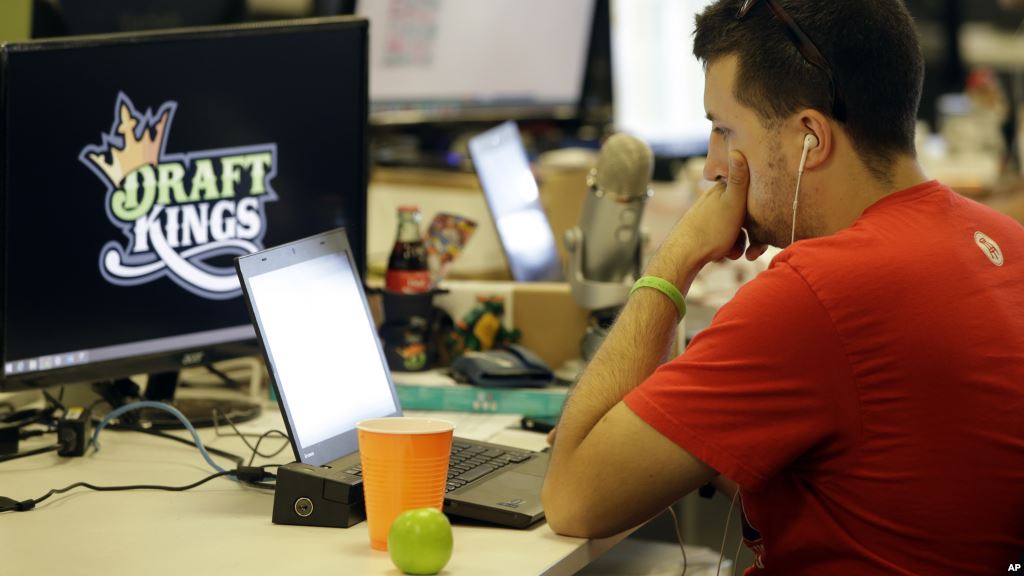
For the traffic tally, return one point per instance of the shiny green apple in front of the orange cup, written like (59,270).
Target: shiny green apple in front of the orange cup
(420,542)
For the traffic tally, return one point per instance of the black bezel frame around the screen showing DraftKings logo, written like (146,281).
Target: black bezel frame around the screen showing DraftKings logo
(178,357)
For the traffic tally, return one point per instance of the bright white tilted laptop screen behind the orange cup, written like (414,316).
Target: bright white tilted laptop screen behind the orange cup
(320,342)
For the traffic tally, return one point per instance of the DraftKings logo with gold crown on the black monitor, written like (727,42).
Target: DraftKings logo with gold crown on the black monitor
(179,212)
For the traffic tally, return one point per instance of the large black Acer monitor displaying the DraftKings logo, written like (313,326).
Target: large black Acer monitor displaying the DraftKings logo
(137,168)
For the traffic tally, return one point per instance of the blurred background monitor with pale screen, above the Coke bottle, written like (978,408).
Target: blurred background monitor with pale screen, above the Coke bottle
(470,61)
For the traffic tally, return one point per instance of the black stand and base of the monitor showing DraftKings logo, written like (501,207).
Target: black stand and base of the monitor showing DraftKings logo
(202,413)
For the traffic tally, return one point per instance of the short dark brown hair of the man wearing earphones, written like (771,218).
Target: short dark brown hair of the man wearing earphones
(873,50)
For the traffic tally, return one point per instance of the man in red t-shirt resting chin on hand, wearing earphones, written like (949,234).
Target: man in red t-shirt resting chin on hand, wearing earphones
(866,394)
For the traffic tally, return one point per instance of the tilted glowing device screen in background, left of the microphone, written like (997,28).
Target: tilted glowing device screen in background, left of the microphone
(515,201)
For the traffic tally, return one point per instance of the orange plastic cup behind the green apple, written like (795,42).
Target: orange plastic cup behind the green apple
(405,467)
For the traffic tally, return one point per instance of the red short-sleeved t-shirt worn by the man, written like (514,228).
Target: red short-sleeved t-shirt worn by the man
(867,393)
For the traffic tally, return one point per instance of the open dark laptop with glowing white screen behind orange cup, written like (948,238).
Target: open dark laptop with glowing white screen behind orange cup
(327,365)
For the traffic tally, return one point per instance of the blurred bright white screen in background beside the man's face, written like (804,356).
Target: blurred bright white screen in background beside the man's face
(658,86)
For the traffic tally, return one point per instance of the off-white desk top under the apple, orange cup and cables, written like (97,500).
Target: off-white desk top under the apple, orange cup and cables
(221,528)
